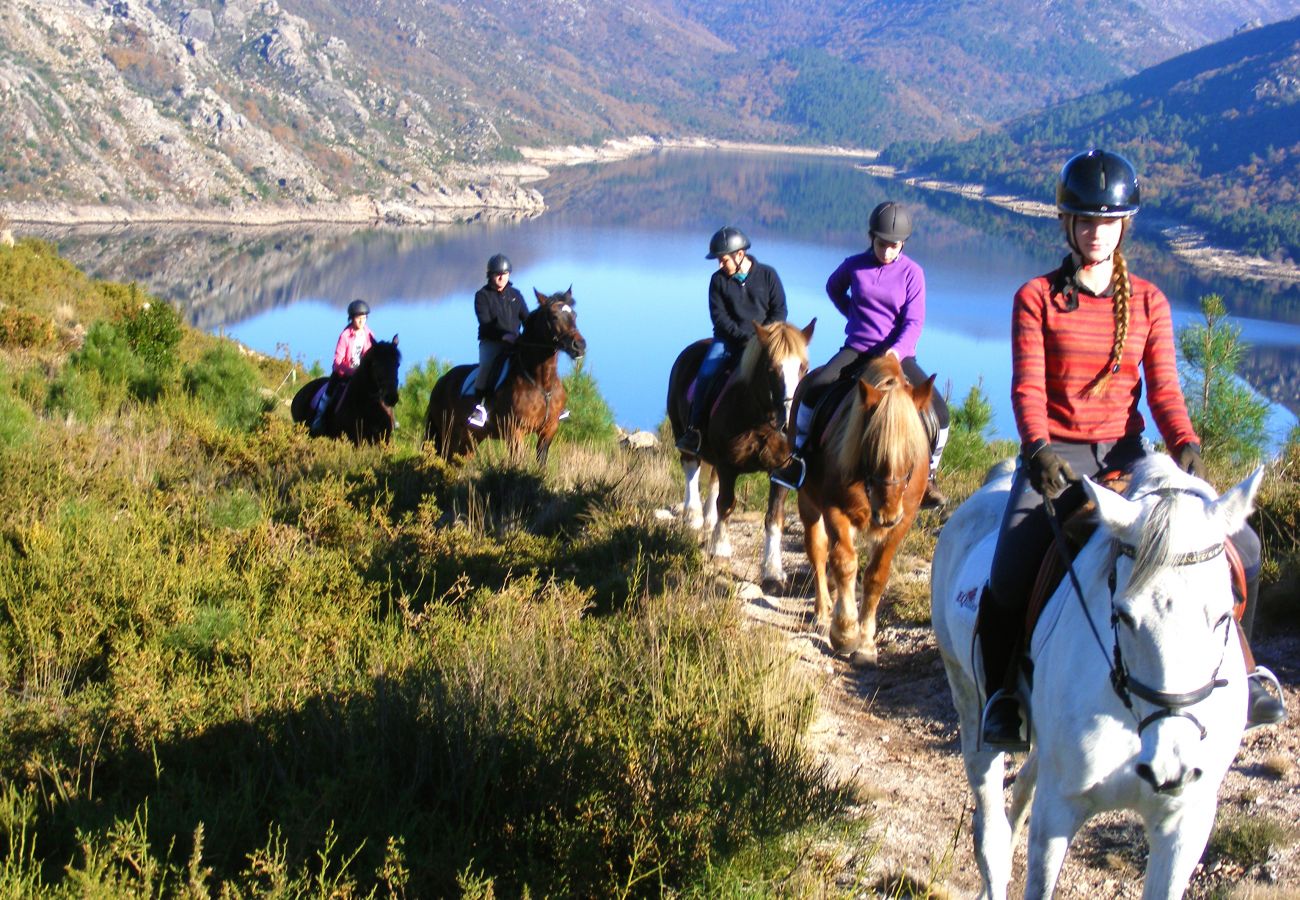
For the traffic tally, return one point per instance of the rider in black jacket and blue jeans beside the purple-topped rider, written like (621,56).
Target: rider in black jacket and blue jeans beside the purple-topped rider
(742,292)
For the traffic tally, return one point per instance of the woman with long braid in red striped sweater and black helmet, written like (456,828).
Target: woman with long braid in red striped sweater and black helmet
(1082,336)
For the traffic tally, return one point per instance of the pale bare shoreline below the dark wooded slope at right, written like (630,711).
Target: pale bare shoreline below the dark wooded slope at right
(1186,243)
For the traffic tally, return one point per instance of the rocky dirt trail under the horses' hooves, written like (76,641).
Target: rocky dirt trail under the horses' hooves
(894,729)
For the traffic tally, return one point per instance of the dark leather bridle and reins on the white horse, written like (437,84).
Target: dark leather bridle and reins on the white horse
(1123,682)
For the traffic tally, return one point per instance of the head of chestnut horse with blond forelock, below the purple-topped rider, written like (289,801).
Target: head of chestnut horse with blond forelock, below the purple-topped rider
(886,442)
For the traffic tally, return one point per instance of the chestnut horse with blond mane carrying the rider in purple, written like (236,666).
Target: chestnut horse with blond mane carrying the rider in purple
(866,471)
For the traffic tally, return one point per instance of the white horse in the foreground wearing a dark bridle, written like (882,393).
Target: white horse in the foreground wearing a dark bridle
(1138,696)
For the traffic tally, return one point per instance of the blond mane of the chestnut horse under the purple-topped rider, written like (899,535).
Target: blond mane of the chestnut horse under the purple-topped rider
(891,438)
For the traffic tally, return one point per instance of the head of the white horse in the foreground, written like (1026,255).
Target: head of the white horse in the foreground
(1176,657)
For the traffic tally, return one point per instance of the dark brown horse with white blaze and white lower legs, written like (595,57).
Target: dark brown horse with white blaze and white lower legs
(746,432)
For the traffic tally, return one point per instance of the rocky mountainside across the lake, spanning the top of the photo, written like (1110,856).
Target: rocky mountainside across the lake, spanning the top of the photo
(408,109)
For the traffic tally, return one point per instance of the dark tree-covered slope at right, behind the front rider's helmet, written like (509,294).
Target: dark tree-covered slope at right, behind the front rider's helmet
(1215,135)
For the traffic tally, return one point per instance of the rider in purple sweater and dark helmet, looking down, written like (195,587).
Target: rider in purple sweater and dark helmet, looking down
(882,296)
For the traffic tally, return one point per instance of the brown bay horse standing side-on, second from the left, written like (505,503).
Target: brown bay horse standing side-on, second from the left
(531,399)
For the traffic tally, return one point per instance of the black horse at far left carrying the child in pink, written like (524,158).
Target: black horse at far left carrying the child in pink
(365,409)
